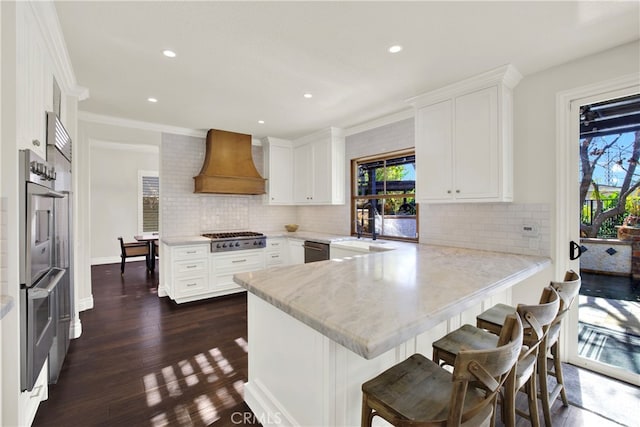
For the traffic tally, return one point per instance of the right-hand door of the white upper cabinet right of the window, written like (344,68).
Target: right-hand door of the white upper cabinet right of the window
(476,148)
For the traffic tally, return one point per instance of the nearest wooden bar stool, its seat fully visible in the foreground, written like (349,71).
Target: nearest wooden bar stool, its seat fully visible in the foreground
(418,391)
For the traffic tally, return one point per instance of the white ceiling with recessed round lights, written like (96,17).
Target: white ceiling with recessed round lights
(241,62)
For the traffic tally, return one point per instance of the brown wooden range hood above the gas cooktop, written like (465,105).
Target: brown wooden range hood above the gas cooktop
(228,166)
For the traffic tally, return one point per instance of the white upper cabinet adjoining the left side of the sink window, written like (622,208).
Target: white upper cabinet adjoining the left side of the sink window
(319,168)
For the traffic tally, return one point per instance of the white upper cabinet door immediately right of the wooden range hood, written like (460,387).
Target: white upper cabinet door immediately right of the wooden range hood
(279,173)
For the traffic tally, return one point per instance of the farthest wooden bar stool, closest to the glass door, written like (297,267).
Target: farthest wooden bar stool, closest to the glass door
(568,290)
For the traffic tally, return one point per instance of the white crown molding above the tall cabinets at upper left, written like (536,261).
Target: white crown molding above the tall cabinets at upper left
(45,15)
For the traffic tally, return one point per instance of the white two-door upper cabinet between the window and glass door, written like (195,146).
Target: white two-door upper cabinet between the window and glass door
(464,140)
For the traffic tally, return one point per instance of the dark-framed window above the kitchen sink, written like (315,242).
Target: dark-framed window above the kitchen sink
(383,199)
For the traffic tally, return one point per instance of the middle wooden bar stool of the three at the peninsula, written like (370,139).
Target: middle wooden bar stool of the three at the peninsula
(536,320)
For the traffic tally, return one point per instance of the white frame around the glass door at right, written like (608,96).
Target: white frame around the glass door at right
(567,196)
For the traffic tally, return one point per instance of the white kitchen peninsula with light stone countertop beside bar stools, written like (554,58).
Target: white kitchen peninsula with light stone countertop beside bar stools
(317,331)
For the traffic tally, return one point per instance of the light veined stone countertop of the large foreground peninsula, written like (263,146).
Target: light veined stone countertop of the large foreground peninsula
(371,304)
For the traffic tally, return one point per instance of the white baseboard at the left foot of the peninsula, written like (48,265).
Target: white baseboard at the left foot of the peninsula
(267,410)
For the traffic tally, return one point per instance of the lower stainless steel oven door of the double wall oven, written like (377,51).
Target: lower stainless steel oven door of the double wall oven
(38,325)
